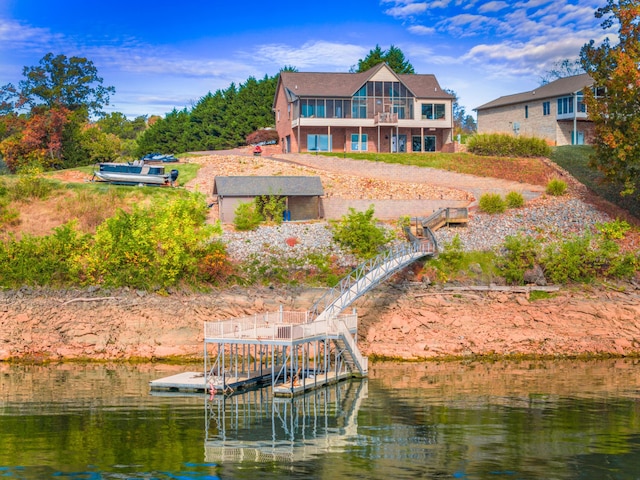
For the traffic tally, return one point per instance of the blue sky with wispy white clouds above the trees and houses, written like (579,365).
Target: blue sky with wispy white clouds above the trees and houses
(162,55)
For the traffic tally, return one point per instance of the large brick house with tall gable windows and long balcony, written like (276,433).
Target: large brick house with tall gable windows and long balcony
(373,111)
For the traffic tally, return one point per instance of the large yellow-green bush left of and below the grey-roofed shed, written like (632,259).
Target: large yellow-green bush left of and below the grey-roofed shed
(156,247)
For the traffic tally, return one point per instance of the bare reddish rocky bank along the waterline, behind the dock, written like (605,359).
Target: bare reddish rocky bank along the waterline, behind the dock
(404,320)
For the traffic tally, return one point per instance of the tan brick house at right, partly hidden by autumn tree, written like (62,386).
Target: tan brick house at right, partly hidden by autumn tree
(555,112)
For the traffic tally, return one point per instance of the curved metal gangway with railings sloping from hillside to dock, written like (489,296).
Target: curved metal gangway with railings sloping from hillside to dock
(369,274)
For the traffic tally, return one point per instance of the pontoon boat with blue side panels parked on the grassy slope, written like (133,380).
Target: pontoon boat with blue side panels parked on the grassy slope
(136,173)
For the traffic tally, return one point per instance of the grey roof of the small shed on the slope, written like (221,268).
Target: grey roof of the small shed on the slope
(250,186)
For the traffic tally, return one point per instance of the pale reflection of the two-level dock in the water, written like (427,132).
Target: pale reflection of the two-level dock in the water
(257,426)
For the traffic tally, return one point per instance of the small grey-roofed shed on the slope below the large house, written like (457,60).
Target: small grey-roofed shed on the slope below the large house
(302,194)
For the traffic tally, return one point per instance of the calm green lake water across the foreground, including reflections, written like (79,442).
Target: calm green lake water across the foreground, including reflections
(464,420)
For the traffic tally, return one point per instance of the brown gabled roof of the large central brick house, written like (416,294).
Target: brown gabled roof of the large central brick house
(316,84)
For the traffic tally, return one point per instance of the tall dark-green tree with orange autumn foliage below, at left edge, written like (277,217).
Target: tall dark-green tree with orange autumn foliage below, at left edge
(42,119)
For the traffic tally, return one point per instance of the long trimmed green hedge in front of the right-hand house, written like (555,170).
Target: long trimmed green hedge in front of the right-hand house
(503,145)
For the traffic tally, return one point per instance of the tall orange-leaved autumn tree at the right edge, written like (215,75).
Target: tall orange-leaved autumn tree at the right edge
(616,114)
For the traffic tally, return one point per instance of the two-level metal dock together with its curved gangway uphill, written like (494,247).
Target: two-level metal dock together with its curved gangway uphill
(304,350)
